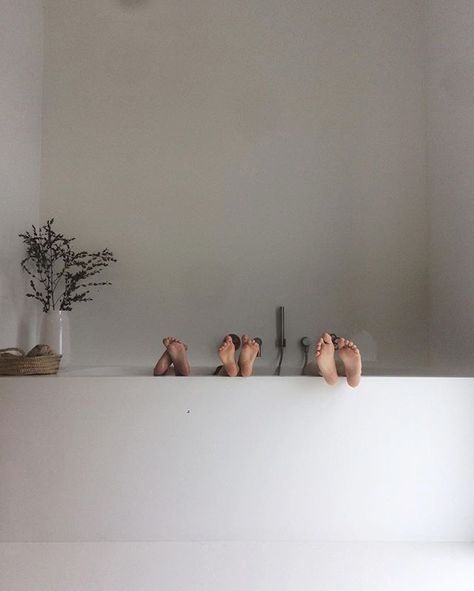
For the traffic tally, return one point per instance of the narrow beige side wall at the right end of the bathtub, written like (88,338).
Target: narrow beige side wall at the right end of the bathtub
(451,156)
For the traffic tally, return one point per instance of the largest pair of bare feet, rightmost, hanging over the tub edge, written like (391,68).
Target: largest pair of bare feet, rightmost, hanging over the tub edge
(349,355)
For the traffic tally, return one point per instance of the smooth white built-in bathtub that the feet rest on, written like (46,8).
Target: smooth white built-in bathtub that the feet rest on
(104,457)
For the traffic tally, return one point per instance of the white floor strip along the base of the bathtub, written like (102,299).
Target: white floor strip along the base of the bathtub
(235,566)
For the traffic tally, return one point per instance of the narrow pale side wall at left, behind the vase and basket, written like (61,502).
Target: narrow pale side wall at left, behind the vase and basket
(20,144)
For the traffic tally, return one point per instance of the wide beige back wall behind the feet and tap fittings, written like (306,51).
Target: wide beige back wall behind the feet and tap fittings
(237,156)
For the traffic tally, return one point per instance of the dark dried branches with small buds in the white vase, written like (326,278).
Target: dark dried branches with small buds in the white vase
(60,276)
